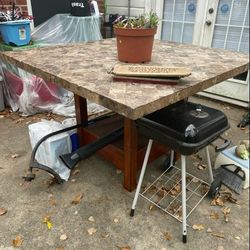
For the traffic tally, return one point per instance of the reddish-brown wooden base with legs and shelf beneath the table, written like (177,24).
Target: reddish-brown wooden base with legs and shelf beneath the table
(126,154)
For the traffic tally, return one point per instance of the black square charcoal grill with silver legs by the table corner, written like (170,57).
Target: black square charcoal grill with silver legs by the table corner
(186,128)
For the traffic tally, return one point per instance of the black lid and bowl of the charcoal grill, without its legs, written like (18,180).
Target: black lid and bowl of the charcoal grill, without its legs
(185,127)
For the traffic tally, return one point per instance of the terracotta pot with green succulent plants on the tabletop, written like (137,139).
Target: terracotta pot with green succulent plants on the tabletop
(135,37)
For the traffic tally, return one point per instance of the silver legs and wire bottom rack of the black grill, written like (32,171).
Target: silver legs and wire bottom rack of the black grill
(191,188)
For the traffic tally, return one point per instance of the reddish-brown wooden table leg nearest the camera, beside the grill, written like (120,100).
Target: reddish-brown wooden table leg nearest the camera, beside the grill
(130,154)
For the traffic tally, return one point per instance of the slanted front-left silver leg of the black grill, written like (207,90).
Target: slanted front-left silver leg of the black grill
(144,165)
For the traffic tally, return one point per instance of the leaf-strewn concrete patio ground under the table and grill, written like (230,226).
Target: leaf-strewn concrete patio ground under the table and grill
(103,198)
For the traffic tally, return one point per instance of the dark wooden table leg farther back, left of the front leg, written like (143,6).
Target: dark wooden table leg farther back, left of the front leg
(81,115)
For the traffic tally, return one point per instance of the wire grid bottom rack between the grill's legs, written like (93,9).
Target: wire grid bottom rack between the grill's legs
(165,192)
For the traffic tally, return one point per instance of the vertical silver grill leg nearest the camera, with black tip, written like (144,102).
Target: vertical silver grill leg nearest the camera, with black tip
(183,188)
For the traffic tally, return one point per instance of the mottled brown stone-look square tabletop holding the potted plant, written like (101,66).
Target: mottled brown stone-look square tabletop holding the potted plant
(83,69)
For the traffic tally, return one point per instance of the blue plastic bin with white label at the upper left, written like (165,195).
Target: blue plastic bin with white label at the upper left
(16,32)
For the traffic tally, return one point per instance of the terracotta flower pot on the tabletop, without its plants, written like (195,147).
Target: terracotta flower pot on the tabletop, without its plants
(134,45)
